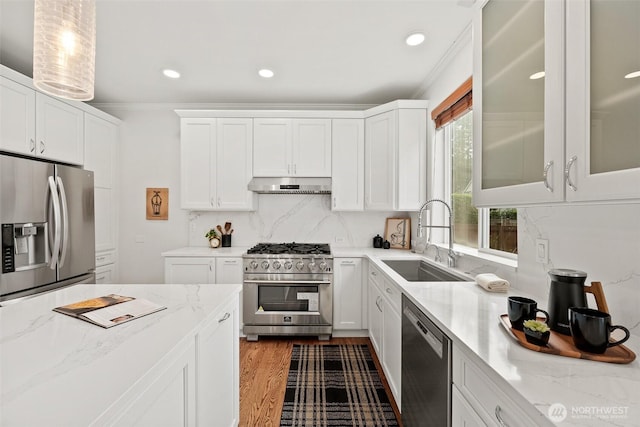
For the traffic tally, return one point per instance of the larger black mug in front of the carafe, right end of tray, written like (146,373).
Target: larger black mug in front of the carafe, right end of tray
(591,329)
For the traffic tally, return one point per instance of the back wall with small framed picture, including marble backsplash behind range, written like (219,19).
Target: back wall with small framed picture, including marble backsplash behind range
(150,157)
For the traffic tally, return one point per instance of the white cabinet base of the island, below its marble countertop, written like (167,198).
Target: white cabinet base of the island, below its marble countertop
(195,384)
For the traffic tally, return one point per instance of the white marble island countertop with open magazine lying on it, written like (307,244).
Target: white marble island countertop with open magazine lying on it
(52,364)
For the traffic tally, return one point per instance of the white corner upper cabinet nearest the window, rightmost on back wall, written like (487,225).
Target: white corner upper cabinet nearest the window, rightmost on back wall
(395,159)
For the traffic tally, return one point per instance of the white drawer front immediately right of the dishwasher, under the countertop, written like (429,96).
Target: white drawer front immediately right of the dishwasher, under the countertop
(485,396)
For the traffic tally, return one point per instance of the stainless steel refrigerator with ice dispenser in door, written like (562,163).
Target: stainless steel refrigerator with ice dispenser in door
(47,219)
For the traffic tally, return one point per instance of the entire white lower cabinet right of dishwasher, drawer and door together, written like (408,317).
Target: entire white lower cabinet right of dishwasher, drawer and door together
(482,401)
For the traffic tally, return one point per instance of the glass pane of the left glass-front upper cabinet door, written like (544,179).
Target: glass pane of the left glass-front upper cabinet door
(513,51)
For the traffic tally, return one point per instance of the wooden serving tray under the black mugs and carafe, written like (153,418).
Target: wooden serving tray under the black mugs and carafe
(562,345)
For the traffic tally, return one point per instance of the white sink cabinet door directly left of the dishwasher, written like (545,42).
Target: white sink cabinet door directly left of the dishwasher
(392,349)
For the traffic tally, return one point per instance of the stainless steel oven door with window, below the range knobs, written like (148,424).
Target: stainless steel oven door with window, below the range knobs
(278,302)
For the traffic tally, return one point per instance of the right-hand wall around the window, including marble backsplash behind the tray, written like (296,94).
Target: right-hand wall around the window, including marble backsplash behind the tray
(602,240)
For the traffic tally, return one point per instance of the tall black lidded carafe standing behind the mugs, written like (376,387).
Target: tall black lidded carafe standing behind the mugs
(567,290)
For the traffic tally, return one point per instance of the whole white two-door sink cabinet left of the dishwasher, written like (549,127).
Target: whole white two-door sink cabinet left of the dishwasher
(385,328)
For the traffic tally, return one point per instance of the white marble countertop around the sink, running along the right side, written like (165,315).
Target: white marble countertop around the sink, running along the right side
(469,315)
